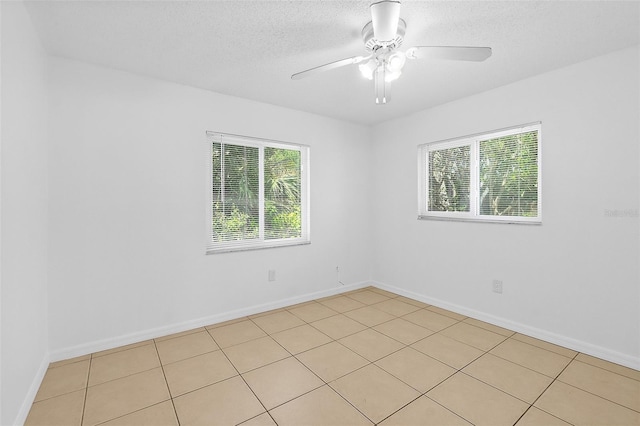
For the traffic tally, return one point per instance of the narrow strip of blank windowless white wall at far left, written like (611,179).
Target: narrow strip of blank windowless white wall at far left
(24,228)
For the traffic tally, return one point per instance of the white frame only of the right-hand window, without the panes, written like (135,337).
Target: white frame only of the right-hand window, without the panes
(474,198)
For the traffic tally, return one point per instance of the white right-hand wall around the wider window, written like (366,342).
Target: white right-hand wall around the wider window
(573,280)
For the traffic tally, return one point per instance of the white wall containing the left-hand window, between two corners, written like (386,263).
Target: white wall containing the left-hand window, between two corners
(128,191)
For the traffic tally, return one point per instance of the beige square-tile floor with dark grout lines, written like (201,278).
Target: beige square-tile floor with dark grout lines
(361,358)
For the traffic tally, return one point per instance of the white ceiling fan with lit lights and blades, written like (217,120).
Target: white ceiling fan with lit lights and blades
(382,36)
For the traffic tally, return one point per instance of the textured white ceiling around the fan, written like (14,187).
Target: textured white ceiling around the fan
(250,48)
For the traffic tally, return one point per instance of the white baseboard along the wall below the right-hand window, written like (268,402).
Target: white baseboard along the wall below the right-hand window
(546,335)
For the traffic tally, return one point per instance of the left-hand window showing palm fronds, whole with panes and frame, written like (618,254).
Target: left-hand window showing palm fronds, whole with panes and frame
(259,193)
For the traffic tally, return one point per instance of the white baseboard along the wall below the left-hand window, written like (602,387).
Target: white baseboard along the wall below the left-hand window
(104,344)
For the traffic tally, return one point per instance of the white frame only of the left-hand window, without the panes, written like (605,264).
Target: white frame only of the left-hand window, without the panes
(260,242)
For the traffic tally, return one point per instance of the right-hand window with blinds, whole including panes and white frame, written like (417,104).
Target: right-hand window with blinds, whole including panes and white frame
(491,177)
